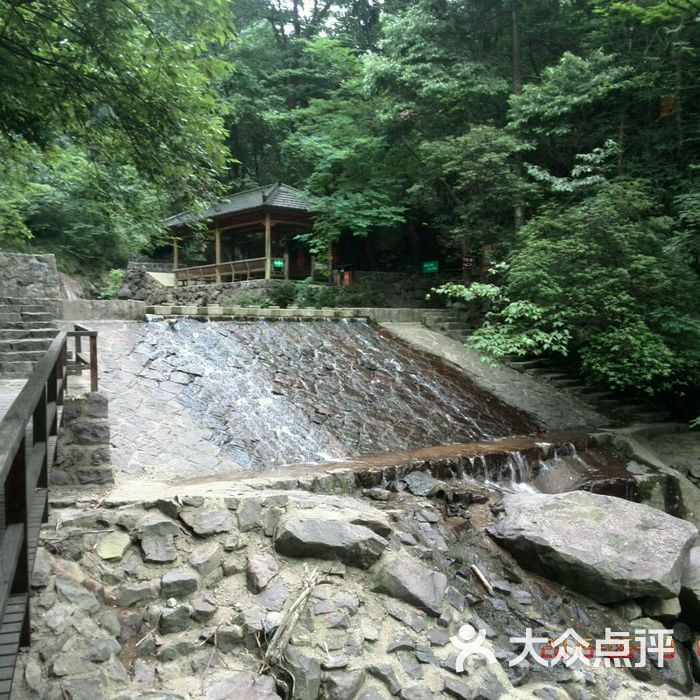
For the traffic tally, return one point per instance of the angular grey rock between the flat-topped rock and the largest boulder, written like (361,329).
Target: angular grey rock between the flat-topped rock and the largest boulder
(405,578)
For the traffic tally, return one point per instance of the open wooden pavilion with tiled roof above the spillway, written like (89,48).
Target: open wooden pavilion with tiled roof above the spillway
(251,234)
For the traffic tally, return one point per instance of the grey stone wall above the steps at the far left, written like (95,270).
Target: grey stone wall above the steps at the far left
(28,276)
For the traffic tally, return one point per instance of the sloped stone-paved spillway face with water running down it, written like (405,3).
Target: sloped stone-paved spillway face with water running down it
(268,394)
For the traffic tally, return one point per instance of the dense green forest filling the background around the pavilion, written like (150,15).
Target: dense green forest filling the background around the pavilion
(558,138)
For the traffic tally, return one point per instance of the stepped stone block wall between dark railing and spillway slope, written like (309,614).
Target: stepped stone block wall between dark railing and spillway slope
(83,455)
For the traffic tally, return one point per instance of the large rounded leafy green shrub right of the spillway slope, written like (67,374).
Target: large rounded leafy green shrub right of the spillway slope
(599,281)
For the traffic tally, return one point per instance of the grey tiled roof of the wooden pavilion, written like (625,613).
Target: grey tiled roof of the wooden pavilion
(278,195)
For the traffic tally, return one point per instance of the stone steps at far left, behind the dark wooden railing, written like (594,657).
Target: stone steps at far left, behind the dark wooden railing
(27,327)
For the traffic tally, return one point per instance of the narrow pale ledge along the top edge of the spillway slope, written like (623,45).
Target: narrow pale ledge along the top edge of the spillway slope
(380,315)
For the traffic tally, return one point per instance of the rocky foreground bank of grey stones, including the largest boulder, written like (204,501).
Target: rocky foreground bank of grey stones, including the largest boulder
(271,593)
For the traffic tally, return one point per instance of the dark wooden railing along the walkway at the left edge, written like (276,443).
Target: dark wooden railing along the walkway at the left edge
(28,435)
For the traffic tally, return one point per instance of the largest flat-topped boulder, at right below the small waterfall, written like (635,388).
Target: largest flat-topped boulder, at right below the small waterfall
(606,547)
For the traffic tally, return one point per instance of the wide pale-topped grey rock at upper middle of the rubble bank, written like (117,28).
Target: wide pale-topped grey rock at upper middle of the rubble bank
(326,535)
